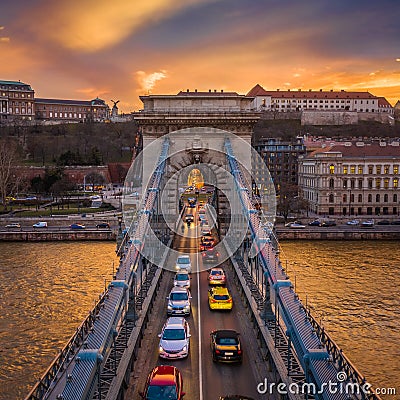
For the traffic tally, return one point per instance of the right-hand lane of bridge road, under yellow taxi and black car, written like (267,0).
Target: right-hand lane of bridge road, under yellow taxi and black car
(220,378)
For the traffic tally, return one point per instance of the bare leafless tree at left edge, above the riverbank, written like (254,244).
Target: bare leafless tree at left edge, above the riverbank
(9,179)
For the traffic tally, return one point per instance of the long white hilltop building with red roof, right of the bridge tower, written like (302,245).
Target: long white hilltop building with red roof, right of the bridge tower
(300,100)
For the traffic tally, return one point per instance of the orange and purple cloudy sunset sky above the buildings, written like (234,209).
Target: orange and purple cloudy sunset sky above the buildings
(120,49)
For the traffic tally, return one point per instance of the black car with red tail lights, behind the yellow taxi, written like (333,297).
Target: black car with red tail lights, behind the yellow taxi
(226,346)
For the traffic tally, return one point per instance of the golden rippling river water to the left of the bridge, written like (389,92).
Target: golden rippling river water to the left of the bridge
(46,290)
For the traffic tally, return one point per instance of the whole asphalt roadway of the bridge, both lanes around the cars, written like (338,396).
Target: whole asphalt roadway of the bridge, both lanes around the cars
(203,379)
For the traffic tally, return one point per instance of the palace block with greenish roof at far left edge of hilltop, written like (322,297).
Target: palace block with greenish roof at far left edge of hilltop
(16,101)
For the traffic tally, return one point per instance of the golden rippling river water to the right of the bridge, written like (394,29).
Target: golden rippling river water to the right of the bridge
(354,289)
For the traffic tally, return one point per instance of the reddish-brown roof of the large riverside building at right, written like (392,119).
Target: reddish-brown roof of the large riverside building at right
(360,149)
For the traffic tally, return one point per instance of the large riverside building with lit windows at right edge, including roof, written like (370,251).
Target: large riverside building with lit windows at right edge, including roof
(352,178)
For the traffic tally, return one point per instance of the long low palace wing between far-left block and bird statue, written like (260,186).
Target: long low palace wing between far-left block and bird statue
(71,110)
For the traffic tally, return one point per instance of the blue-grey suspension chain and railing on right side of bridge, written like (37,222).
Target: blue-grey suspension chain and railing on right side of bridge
(318,364)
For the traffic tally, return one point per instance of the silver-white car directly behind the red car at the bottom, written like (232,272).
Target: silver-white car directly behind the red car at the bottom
(174,339)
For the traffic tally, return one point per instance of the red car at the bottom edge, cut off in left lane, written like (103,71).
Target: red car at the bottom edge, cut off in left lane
(163,382)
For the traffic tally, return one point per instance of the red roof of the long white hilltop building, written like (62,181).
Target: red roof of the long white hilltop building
(258,90)
